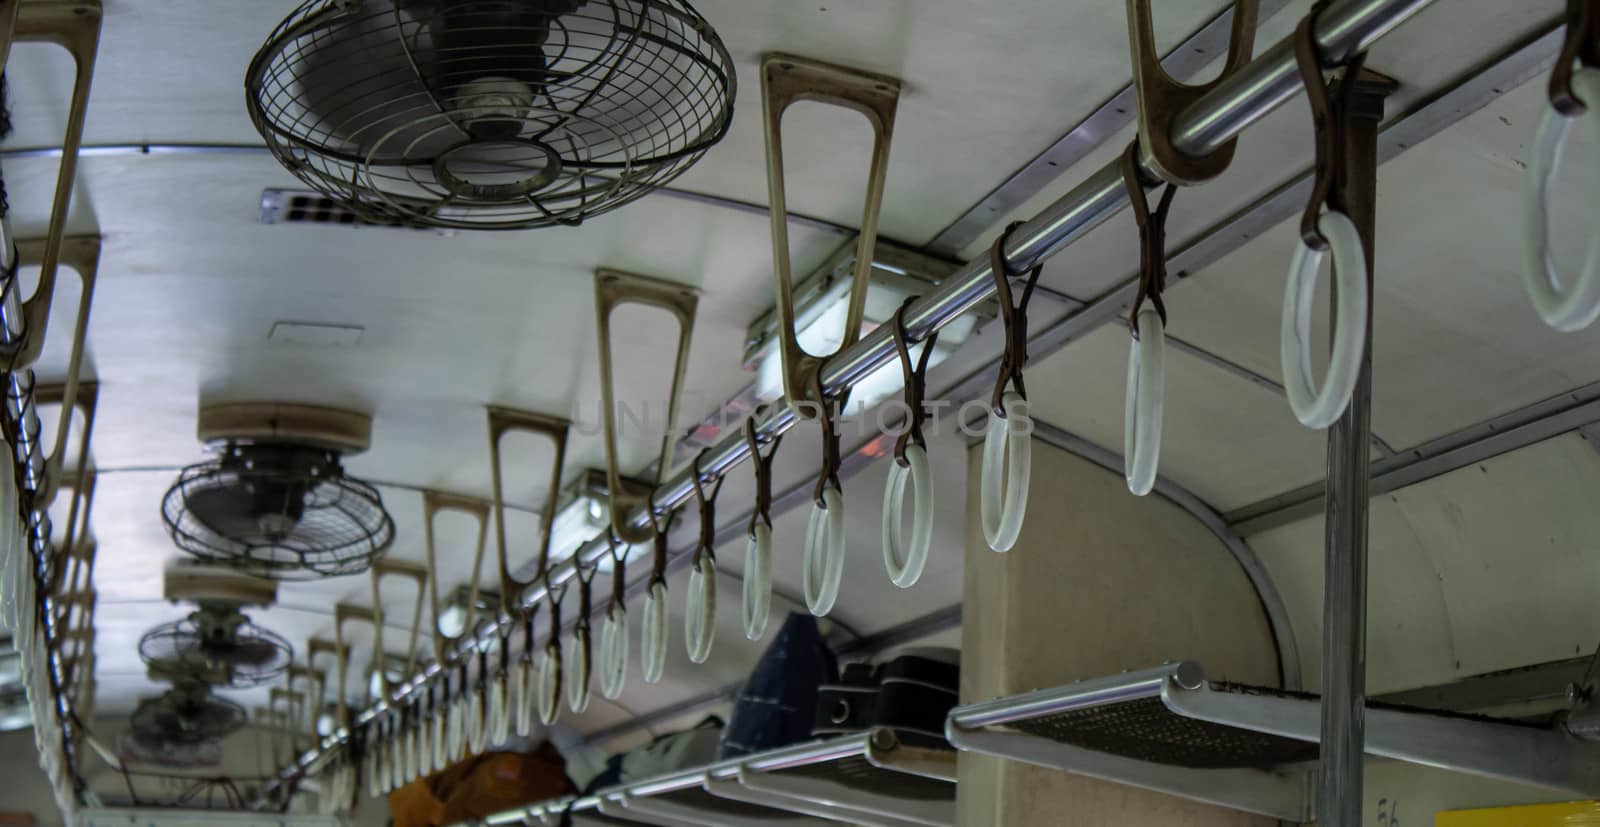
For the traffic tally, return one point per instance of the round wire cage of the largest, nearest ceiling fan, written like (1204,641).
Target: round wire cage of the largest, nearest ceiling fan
(490,114)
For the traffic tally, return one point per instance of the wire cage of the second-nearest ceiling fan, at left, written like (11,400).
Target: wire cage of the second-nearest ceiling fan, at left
(279,513)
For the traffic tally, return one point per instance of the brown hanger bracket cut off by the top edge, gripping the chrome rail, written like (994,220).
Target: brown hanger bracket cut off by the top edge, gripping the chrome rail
(1162,98)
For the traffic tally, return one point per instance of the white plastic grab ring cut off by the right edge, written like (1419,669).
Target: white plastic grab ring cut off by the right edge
(1577,306)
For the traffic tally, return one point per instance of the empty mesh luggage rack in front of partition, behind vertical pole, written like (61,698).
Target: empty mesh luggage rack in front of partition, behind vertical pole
(1247,748)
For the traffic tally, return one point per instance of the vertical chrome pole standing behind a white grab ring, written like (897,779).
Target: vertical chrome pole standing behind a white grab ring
(1346,500)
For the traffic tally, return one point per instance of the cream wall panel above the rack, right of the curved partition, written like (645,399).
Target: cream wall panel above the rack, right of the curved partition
(1481,570)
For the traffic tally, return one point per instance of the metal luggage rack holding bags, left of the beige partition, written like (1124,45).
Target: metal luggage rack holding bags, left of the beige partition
(868,778)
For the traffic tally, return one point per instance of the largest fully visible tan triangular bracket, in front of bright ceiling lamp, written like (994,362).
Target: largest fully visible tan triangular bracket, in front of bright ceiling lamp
(788,81)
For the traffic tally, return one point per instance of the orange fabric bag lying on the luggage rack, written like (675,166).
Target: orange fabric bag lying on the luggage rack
(479,788)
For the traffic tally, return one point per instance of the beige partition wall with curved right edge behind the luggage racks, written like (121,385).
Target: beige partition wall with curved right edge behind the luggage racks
(1100,583)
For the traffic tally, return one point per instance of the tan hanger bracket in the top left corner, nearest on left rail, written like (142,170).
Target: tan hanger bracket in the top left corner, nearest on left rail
(74,26)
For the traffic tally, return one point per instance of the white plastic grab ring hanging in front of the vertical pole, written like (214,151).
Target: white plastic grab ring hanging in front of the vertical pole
(1321,407)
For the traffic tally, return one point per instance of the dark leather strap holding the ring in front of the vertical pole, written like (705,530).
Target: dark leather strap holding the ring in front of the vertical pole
(1330,111)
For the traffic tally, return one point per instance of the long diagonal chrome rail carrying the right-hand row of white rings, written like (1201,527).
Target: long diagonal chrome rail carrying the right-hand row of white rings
(1343,30)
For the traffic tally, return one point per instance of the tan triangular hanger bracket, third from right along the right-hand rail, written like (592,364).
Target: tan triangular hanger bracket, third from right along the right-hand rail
(615,289)
